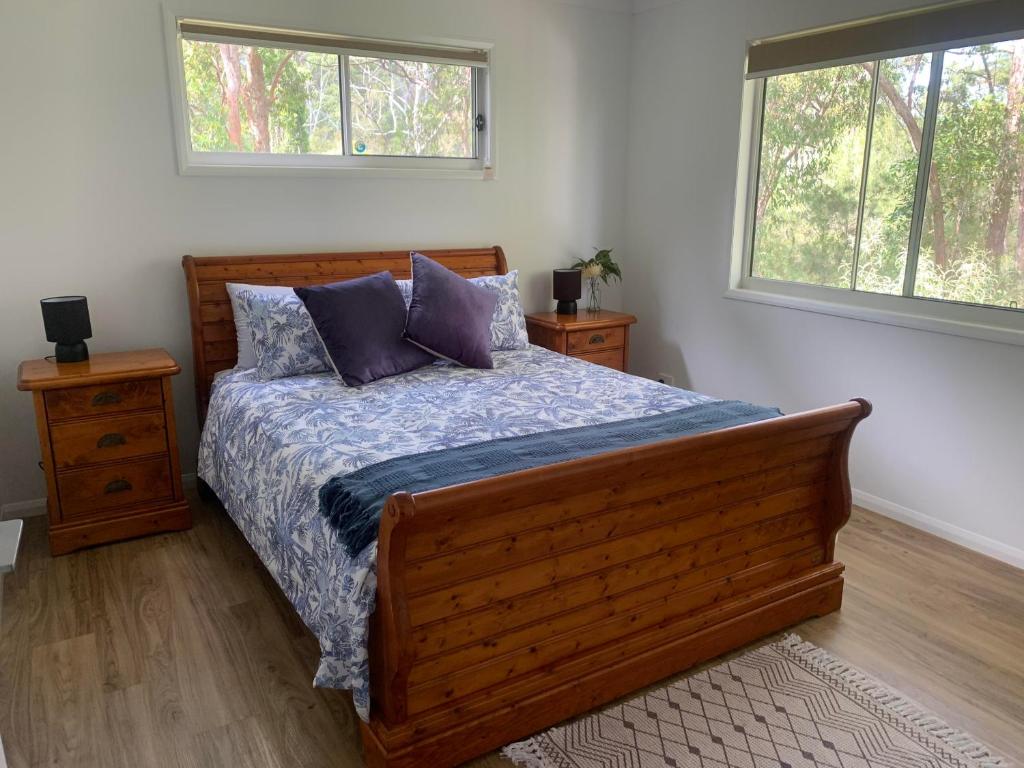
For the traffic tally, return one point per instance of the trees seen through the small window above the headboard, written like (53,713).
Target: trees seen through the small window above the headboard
(289,102)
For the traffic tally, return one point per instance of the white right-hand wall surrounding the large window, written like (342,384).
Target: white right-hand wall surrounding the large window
(947,440)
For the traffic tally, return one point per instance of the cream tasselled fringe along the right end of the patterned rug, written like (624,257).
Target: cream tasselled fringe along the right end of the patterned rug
(907,708)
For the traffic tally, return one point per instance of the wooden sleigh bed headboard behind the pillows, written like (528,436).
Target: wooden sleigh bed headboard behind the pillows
(215,347)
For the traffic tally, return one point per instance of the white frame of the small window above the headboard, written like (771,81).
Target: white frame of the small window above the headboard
(192,162)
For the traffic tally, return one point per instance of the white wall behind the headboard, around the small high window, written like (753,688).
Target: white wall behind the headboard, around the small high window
(92,203)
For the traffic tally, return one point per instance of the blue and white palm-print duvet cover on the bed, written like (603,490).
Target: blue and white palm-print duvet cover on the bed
(270,446)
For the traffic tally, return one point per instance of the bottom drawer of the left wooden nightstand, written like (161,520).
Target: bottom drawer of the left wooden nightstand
(83,493)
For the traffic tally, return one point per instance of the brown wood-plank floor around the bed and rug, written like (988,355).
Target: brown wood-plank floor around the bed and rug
(180,651)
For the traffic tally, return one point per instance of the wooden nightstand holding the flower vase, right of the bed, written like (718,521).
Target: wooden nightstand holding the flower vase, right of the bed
(602,337)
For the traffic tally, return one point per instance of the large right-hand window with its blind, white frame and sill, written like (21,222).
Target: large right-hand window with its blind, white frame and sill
(882,176)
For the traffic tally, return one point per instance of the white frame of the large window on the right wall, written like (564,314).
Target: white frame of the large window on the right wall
(991,323)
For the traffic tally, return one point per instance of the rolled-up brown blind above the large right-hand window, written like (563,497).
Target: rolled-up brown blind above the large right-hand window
(933,28)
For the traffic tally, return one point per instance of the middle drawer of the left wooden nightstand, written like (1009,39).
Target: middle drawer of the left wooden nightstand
(116,438)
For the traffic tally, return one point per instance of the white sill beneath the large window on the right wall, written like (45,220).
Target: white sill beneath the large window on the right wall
(921,315)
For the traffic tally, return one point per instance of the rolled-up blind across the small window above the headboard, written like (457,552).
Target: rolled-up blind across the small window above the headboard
(219,32)
